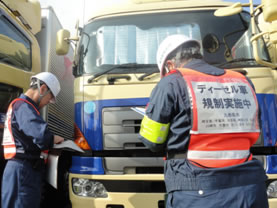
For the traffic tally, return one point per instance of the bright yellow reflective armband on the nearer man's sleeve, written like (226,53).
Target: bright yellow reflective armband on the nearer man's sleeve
(154,131)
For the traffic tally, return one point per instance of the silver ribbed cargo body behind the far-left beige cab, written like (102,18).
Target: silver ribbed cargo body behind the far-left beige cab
(60,115)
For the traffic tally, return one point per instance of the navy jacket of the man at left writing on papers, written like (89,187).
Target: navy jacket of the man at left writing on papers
(30,131)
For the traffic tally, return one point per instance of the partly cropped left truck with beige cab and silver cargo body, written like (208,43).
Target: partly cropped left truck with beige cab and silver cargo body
(27,47)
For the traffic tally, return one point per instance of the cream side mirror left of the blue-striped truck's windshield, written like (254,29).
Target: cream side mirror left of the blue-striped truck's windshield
(62,42)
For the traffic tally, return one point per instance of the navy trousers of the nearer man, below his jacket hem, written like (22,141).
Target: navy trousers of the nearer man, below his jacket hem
(250,196)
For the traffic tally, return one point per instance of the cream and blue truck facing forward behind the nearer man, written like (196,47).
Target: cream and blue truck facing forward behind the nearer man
(115,71)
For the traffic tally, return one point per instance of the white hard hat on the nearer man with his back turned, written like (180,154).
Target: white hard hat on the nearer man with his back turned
(168,45)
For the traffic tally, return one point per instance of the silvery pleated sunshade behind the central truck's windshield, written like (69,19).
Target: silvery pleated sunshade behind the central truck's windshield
(132,44)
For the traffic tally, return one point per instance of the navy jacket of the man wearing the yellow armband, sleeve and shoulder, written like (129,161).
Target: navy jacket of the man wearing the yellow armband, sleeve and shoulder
(169,103)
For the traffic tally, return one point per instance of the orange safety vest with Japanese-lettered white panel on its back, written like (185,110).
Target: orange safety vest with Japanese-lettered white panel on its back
(225,118)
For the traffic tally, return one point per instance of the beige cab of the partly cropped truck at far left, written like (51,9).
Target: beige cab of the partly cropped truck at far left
(19,54)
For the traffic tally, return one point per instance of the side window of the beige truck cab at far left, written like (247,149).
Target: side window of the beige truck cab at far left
(15,48)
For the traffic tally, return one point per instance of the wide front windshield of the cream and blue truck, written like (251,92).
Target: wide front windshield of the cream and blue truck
(121,40)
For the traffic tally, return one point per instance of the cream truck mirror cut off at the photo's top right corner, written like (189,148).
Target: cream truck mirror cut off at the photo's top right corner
(269,10)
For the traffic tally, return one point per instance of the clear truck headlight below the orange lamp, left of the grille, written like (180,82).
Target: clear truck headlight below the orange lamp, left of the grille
(89,188)
